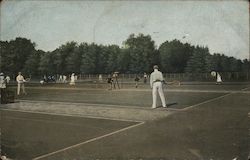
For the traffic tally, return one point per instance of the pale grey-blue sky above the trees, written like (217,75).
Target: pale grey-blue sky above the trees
(222,26)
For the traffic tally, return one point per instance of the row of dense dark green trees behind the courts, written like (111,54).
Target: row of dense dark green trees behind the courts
(137,55)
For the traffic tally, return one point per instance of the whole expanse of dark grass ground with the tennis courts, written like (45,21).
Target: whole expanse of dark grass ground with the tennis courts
(205,122)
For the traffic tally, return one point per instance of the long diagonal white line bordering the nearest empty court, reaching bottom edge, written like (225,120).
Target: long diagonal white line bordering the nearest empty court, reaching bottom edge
(88,141)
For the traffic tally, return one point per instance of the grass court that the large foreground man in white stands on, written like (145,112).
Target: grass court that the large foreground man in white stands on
(177,97)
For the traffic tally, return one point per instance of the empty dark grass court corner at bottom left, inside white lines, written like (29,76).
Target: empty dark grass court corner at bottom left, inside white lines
(30,135)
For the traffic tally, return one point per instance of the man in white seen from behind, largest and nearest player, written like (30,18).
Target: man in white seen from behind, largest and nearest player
(156,81)
